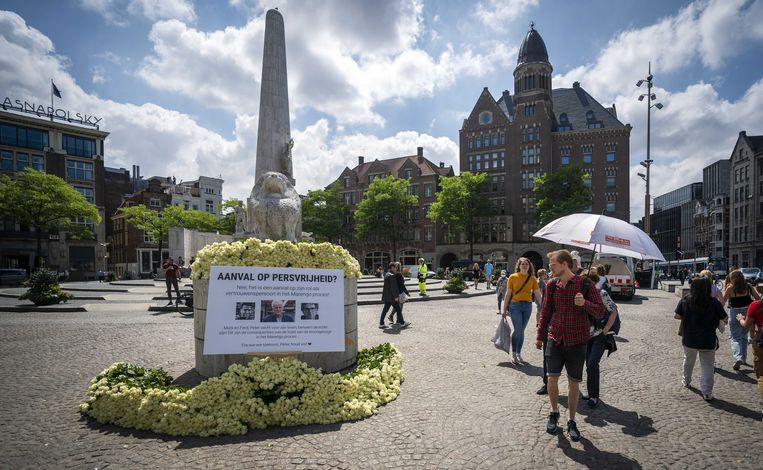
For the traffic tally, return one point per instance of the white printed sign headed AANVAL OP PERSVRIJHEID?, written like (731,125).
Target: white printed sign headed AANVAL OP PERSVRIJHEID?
(255,309)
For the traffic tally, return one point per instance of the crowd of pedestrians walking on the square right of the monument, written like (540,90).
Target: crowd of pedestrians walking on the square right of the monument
(577,322)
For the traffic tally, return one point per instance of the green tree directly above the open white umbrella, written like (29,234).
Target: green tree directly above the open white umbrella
(561,193)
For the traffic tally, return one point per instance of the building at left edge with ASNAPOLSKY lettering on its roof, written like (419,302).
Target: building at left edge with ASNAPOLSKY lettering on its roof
(73,153)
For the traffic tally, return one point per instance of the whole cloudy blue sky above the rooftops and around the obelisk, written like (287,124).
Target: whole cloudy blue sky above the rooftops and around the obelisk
(177,81)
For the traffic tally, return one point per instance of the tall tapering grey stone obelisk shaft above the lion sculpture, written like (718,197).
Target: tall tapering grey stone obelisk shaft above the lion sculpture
(273,132)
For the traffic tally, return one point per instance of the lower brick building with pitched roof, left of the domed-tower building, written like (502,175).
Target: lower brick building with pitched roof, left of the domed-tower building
(419,236)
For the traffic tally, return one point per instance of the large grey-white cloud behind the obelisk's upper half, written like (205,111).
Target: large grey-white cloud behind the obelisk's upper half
(344,67)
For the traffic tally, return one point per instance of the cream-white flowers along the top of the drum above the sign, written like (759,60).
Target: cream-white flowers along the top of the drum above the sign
(269,253)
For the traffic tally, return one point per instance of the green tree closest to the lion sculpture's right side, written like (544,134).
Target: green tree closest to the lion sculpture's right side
(322,213)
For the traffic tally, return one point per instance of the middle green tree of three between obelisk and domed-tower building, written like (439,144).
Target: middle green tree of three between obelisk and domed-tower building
(382,209)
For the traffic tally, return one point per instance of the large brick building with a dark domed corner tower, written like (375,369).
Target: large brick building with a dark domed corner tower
(534,131)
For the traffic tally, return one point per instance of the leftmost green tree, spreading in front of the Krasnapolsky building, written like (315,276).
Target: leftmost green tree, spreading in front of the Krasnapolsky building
(47,203)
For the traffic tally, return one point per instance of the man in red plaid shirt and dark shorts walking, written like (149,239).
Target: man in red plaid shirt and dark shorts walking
(564,318)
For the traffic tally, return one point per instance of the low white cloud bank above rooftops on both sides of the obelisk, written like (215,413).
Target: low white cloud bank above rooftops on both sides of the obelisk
(166,142)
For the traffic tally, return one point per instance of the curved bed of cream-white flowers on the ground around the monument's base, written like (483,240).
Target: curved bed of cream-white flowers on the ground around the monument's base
(265,392)
